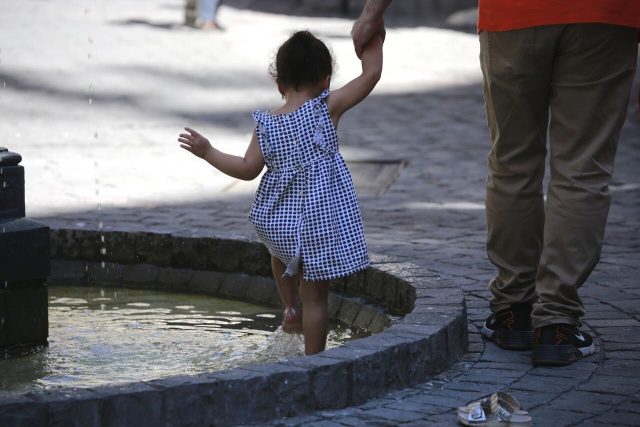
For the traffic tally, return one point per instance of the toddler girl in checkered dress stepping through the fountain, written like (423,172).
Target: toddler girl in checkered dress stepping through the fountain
(305,210)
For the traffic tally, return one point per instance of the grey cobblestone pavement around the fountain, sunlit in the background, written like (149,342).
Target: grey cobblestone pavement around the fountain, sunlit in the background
(93,94)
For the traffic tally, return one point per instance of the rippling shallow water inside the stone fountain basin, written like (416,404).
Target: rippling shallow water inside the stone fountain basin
(112,335)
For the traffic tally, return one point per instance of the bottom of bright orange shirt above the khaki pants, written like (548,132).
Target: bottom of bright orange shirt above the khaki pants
(500,15)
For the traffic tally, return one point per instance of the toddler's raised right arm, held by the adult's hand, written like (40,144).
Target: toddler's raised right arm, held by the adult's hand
(357,89)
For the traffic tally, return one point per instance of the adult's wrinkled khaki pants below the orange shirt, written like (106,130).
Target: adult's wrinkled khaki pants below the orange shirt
(572,82)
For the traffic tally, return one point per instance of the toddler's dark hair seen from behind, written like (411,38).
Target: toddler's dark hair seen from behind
(302,60)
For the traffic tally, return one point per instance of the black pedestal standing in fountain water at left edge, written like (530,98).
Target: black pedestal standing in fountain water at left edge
(24,266)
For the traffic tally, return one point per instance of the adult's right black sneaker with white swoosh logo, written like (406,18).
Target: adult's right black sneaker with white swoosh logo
(560,344)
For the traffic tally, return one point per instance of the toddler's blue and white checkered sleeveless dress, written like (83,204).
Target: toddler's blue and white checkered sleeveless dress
(306,211)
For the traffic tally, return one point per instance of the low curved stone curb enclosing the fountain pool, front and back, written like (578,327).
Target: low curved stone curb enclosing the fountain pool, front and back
(427,340)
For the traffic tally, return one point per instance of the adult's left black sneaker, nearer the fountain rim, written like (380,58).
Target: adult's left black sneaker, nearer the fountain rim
(511,328)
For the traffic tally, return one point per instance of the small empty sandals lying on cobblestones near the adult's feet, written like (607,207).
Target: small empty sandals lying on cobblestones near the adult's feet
(499,409)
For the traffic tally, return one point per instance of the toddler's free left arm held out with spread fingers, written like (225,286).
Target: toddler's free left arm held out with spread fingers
(246,168)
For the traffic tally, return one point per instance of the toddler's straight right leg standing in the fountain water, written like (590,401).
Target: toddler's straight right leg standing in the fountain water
(315,317)
